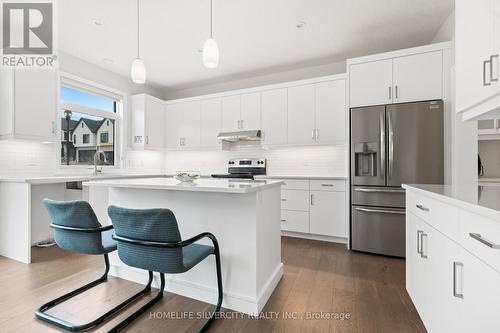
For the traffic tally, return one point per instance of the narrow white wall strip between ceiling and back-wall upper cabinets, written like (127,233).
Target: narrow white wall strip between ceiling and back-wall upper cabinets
(256,79)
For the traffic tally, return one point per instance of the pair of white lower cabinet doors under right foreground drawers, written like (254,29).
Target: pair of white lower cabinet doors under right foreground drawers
(452,289)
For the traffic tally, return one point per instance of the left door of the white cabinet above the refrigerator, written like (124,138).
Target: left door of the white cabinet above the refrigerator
(371,83)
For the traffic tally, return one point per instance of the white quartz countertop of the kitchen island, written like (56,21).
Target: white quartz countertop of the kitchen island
(199,185)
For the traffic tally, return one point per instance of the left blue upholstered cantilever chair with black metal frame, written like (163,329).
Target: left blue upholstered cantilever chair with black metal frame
(77,229)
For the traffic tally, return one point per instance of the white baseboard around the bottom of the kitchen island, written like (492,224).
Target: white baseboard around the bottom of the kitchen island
(237,302)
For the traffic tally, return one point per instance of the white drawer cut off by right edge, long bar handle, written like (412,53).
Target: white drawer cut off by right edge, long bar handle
(485,241)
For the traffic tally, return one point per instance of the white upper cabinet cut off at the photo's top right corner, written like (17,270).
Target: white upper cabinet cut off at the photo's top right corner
(477,49)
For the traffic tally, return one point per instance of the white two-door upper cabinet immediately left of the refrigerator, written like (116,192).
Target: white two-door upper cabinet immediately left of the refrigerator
(316,113)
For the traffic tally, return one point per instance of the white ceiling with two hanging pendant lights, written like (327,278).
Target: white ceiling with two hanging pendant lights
(253,35)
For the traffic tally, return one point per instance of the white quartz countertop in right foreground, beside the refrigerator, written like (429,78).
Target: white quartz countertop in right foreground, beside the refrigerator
(483,200)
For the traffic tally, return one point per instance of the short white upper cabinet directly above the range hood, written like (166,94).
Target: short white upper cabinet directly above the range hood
(241,112)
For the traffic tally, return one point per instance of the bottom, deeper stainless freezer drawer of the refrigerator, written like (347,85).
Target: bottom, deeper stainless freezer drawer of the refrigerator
(378,230)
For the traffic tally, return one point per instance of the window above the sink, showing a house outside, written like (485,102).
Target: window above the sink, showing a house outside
(89,115)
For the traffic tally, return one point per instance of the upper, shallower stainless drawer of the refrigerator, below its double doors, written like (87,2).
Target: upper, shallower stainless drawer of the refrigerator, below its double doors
(378,196)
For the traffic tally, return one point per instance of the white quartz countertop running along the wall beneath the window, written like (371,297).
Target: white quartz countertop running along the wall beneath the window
(37,180)
